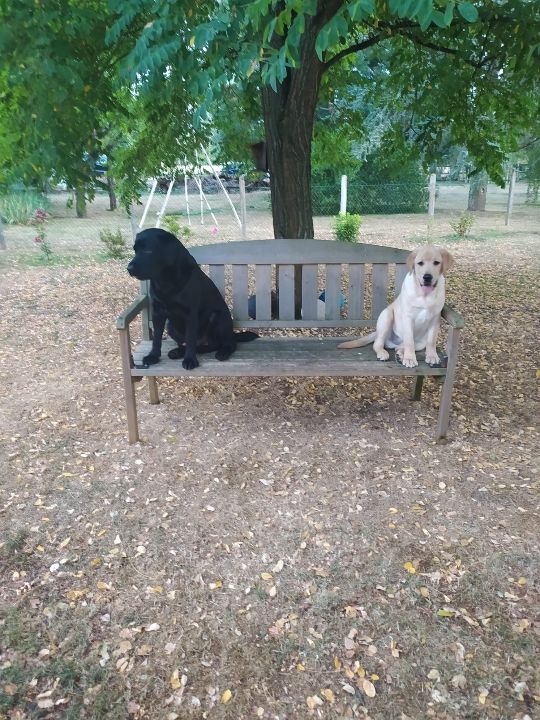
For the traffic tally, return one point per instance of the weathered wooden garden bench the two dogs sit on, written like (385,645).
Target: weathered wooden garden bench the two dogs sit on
(358,282)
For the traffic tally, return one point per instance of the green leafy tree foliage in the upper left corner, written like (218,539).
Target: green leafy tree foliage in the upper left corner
(57,92)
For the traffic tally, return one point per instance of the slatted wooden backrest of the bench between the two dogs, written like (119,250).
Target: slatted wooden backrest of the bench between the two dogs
(358,280)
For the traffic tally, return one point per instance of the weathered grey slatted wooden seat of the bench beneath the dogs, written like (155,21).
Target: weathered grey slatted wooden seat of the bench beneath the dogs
(285,356)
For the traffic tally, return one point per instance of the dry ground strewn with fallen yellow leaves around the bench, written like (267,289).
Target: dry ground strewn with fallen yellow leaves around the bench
(280,548)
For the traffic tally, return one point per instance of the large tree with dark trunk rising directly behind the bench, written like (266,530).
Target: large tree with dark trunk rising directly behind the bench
(459,65)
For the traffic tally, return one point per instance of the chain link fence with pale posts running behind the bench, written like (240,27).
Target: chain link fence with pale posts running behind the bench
(213,216)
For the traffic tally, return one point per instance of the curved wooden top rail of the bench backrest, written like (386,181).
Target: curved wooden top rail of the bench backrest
(295,252)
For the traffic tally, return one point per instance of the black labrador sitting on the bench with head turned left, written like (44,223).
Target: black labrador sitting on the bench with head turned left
(198,318)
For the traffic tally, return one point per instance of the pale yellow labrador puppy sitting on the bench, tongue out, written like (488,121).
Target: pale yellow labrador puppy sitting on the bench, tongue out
(412,321)
